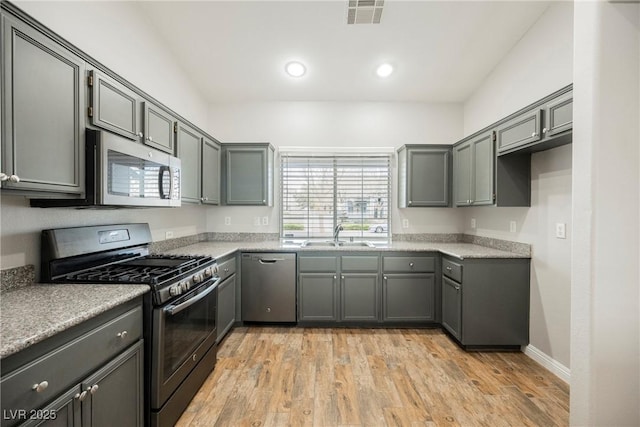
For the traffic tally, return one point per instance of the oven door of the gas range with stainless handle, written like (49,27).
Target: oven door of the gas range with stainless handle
(183,331)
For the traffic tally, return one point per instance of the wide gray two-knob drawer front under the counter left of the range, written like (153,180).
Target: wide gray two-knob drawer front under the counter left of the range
(70,362)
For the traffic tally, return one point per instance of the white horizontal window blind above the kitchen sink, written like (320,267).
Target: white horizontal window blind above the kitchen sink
(320,192)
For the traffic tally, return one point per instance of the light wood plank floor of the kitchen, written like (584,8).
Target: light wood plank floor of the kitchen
(272,376)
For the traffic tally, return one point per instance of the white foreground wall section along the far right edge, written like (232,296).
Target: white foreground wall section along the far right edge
(605,360)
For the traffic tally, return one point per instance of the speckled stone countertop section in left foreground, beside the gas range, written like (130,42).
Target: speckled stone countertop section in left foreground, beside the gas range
(33,313)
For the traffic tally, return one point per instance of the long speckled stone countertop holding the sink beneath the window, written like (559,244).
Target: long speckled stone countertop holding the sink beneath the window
(458,250)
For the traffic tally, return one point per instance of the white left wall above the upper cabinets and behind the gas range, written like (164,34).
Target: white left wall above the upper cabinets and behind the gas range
(115,34)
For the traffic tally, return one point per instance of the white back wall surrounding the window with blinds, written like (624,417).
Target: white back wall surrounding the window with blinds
(337,124)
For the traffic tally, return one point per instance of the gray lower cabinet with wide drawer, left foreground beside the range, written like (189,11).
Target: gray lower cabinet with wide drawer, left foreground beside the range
(90,375)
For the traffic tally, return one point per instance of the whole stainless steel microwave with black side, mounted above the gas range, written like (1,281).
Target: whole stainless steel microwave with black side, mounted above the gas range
(122,173)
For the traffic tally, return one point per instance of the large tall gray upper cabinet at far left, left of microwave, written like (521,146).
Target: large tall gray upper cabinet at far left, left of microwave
(43,107)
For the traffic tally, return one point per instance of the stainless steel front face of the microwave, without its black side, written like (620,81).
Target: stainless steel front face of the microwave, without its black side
(134,175)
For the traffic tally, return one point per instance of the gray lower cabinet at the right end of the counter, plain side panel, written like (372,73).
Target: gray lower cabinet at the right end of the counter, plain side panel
(485,302)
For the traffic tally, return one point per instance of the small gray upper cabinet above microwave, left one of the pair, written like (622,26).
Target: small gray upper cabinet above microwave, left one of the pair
(113,106)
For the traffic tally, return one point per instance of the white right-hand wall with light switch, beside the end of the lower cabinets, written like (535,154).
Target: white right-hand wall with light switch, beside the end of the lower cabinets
(541,63)
